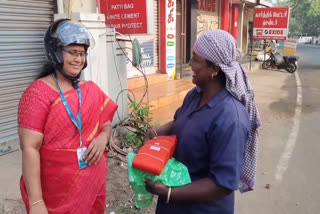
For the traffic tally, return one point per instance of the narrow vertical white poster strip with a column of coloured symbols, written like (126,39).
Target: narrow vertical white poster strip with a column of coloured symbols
(171,38)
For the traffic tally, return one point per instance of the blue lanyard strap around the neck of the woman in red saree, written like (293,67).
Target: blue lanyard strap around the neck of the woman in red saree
(66,105)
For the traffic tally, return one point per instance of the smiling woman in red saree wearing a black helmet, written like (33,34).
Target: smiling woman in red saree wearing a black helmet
(52,181)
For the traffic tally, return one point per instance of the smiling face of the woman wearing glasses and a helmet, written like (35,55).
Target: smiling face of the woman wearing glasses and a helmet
(74,57)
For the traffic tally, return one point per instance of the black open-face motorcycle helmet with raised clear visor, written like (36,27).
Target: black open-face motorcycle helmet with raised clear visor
(61,33)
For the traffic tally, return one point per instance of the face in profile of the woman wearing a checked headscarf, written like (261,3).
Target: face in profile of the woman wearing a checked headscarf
(201,72)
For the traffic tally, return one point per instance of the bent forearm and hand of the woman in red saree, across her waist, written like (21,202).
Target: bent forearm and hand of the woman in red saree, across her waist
(98,144)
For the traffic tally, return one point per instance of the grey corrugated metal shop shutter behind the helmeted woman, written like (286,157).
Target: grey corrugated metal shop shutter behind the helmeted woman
(22,27)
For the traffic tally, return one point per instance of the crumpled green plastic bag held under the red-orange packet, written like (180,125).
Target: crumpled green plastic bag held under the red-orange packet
(174,174)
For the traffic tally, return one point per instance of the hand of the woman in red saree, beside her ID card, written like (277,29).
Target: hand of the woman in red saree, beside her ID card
(96,149)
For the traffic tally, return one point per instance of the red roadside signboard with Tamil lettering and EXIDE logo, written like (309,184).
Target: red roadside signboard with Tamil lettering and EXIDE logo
(271,23)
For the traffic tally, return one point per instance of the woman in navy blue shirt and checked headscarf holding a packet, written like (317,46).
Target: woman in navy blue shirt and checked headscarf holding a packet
(216,128)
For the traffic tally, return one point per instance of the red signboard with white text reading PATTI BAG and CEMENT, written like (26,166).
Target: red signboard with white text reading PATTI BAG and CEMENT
(126,16)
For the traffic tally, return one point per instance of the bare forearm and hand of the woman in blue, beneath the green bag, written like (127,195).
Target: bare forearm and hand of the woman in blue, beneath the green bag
(203,190)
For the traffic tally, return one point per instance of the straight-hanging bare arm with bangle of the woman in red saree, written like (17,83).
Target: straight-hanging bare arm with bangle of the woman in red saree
(30,143)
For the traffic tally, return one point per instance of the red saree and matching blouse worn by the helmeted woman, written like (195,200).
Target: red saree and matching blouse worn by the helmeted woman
(66,188)
